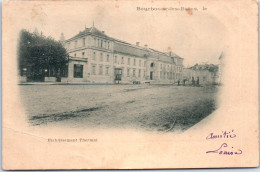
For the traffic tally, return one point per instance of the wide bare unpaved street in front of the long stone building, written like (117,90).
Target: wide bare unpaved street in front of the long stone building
(148,107)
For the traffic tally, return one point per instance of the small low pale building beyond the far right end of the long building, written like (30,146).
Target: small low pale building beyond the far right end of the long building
(205,74)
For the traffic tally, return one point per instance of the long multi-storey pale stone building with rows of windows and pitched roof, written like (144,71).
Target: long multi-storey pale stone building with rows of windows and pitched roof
(98,58)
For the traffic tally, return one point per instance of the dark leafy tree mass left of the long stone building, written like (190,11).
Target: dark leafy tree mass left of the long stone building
(40,56)
